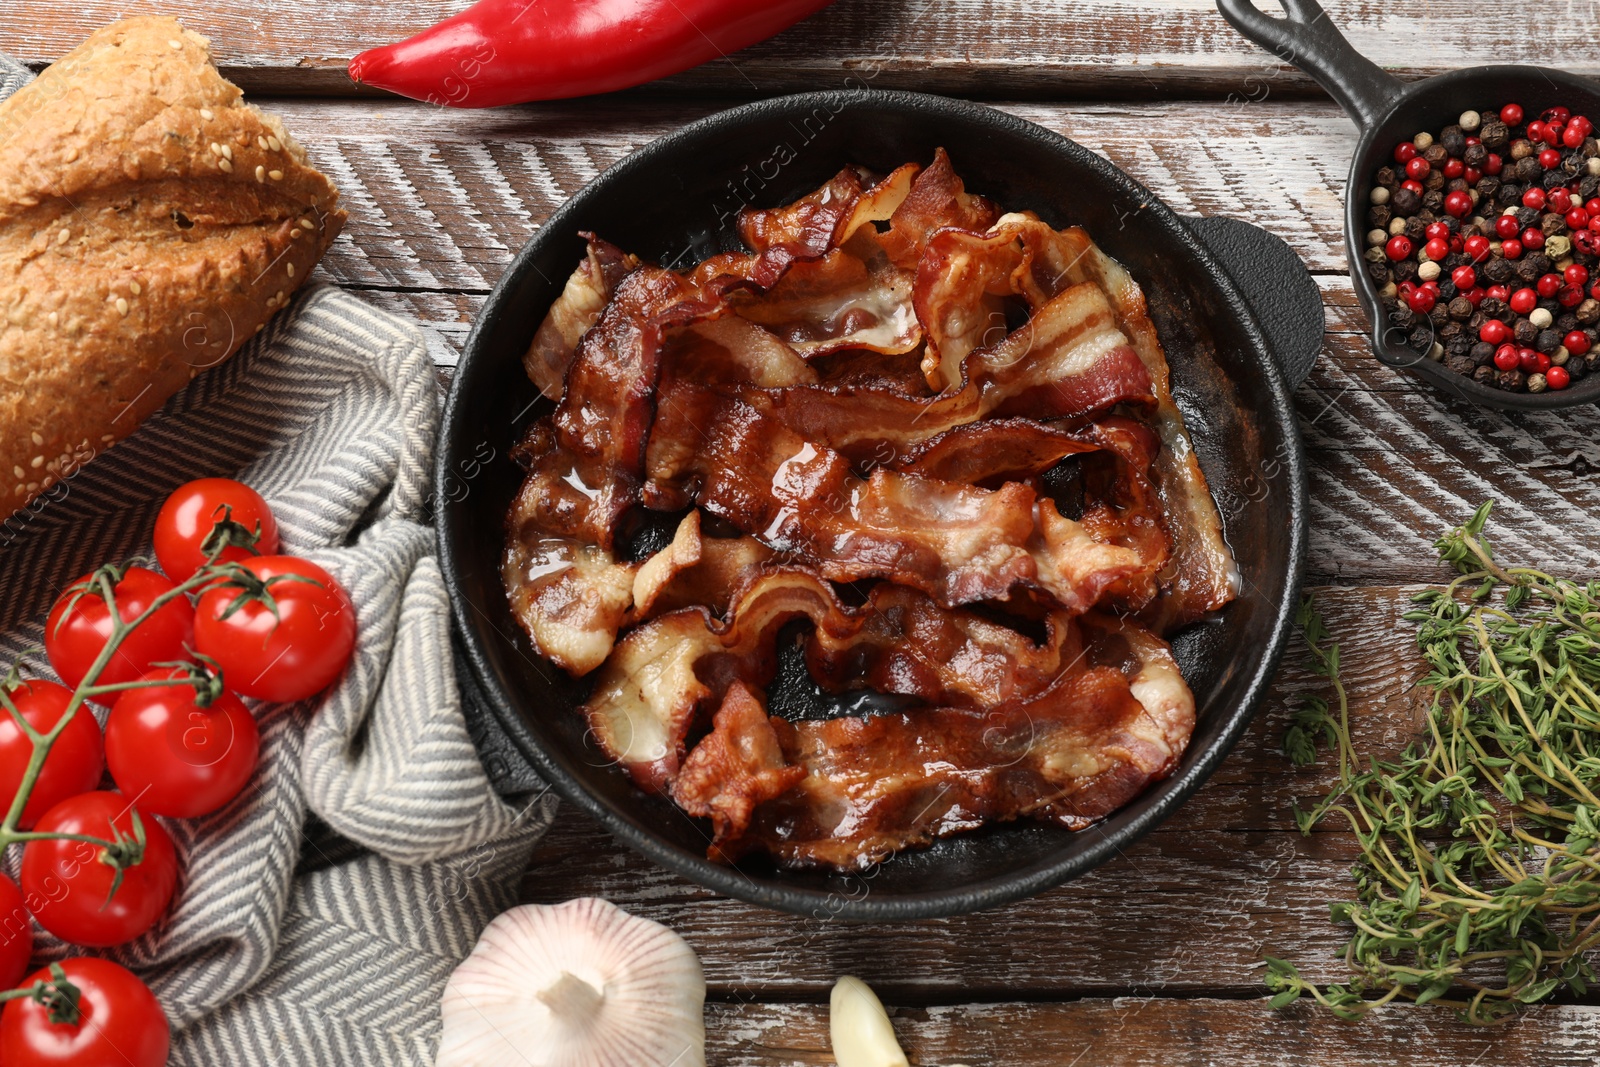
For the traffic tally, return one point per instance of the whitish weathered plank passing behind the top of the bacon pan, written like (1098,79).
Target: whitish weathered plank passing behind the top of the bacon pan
(442,199)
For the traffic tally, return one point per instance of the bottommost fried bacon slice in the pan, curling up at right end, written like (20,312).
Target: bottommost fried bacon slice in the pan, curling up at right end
(868,788)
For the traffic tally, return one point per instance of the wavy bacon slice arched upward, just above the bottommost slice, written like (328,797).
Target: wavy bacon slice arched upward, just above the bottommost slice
(649,693)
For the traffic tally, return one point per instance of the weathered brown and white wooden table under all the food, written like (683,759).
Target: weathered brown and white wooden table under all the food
(1154,959)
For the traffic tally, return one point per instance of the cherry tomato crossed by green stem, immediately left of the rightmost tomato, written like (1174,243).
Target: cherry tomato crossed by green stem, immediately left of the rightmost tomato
(79,625)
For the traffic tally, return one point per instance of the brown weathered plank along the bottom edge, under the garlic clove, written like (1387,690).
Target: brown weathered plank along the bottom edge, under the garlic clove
(1153,1033)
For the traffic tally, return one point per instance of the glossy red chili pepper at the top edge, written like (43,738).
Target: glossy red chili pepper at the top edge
(511,52)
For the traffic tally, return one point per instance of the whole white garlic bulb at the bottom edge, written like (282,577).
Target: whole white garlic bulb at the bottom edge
(578,985)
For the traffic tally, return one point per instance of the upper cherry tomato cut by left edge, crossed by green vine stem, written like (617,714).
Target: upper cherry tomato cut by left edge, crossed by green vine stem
(76,761)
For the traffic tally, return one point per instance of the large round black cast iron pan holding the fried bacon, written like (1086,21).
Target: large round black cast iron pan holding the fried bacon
(676,202)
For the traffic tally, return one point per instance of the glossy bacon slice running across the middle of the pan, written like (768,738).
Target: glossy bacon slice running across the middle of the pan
(956,543)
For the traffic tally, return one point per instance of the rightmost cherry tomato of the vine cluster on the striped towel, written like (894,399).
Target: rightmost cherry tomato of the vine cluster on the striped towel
(284,657)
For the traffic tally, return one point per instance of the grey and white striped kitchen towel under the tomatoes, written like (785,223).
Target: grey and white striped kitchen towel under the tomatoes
(332,414)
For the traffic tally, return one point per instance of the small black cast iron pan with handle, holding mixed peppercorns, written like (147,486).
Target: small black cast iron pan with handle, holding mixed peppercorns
(1388,111)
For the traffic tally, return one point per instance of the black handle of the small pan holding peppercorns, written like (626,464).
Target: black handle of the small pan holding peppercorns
(1311,42)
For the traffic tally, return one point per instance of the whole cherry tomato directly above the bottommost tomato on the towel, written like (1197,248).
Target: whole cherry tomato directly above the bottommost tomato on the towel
(71,884)
